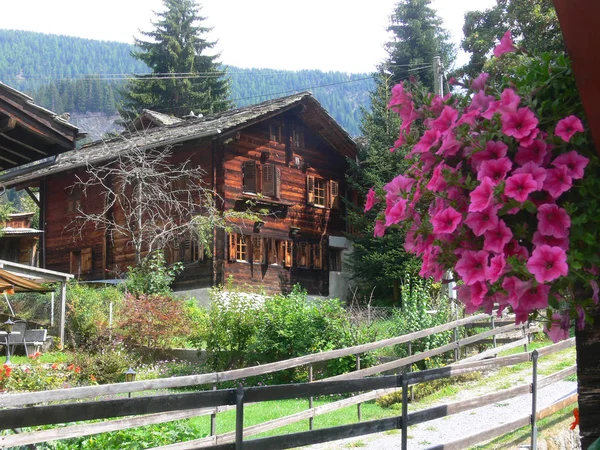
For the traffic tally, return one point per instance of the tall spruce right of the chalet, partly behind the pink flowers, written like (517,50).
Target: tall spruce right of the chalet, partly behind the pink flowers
(417,38)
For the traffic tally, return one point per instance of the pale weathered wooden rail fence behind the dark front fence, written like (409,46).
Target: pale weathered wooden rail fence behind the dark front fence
(164,408)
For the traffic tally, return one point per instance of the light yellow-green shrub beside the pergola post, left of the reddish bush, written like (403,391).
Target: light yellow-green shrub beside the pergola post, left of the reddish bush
(88,312)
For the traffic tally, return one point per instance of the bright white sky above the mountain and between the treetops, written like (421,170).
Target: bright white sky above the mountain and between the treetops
(339,35)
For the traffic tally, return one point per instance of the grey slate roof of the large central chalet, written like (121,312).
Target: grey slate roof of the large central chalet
(195,128)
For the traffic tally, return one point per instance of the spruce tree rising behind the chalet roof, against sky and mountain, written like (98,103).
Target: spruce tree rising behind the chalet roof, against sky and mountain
(184,78)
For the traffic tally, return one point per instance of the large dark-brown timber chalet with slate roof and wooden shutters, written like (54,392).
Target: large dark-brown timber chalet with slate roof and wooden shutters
(287,155)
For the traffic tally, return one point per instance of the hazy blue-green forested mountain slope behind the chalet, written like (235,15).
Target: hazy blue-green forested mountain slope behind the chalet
(68,74)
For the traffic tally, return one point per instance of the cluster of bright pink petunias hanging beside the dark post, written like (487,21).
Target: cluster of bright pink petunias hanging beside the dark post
(482,197)
